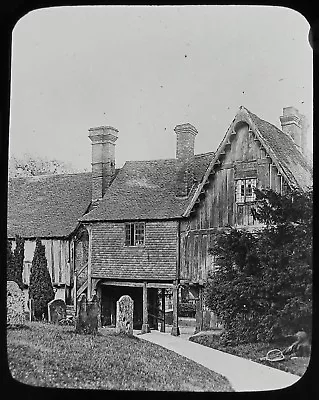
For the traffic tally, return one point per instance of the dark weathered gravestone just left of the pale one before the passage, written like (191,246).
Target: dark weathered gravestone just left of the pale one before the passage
(87,315)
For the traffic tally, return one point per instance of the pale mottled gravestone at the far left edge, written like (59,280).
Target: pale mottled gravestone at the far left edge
(15,304)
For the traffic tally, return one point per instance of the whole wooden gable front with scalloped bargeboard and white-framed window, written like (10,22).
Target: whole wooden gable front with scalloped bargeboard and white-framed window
(225,197)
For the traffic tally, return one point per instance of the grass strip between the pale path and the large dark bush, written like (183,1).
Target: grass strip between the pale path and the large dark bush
(255,351)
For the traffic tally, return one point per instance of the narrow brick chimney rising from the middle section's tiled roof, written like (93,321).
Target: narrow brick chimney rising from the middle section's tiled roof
(185,141)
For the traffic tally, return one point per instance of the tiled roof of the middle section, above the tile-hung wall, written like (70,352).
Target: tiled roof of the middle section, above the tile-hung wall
(146,190)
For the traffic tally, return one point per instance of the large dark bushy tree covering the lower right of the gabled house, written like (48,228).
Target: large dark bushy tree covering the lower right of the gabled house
(263,286)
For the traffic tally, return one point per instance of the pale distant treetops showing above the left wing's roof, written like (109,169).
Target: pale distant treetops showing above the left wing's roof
(31,165)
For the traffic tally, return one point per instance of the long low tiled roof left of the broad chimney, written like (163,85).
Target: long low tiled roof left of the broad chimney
(47,205)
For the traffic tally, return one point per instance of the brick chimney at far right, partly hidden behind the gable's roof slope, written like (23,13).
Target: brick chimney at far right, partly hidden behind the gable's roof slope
(295,125)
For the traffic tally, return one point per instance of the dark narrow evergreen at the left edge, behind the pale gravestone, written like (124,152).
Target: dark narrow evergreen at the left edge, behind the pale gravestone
(15,261)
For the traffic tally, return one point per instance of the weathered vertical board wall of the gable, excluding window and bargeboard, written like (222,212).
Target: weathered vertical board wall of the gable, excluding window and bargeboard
(244,158)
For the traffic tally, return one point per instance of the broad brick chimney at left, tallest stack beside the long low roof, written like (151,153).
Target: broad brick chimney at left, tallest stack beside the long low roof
(103,140)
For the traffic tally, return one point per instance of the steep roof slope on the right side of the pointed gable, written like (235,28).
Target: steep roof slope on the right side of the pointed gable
(294,164)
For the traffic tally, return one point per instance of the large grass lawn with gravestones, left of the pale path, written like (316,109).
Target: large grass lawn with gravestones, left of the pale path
(48,355)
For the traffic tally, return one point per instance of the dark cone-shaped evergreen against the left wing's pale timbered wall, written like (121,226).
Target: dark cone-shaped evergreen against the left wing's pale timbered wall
(40,288)
